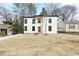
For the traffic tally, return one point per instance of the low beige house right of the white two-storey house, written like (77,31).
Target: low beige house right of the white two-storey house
(68,26)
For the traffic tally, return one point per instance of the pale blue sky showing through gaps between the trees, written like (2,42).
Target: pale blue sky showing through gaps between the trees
(38,5)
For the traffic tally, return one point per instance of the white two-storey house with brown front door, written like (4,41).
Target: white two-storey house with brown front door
(40,24)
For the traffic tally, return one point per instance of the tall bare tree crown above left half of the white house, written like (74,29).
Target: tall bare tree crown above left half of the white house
(25,9)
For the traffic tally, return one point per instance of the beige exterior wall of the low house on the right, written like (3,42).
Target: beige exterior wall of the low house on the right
(64,27)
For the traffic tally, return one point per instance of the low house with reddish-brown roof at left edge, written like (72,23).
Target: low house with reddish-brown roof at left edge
(6,29)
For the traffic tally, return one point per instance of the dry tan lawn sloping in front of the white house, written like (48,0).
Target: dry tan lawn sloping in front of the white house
(41,45)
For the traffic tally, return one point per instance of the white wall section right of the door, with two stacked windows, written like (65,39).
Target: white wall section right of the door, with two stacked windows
(53,24)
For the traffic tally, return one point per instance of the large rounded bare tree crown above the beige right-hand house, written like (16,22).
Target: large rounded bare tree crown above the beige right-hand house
(67,12)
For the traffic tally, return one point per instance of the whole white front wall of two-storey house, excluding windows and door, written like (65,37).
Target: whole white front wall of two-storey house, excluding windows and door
(44,25)
